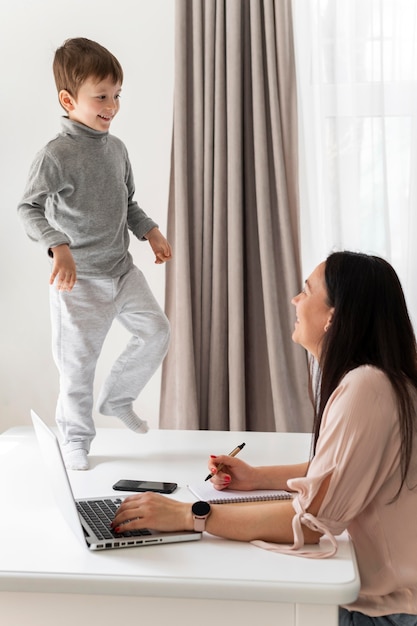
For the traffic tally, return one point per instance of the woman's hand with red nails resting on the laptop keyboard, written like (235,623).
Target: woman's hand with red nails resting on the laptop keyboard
(152,510)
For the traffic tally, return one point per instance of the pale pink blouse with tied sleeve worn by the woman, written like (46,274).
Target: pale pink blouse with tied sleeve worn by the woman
(359,445)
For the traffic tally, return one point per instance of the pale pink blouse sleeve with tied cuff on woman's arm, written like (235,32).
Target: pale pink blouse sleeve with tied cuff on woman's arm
(358,446)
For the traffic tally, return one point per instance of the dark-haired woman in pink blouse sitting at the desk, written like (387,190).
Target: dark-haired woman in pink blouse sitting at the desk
(352,318)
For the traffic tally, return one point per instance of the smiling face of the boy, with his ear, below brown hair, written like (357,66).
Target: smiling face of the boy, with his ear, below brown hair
(96,104)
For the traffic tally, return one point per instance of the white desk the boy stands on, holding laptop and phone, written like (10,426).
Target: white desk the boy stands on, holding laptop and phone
(47,577)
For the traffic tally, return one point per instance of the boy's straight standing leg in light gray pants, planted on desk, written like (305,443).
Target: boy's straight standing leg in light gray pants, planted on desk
(80,322)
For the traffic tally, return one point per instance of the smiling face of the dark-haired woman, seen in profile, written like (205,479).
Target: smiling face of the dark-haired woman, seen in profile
(313,314)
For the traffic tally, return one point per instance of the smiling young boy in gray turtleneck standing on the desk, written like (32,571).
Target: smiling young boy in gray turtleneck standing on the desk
(78,204)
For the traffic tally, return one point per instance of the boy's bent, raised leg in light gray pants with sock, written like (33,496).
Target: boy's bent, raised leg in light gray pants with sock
(141,315)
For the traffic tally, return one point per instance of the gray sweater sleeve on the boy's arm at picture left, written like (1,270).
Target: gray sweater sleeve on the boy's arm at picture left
(43,185)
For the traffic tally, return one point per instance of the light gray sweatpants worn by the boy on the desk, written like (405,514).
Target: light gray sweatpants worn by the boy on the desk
(81,320)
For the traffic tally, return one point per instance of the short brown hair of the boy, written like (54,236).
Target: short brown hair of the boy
(79,59)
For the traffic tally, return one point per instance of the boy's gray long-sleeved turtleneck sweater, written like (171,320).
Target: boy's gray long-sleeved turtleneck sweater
(80,192)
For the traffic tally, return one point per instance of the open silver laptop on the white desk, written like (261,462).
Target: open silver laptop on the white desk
(89,518)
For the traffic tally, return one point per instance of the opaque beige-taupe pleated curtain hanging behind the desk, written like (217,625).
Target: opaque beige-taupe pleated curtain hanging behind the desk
(233,223)
